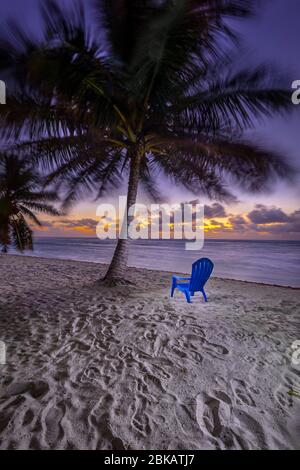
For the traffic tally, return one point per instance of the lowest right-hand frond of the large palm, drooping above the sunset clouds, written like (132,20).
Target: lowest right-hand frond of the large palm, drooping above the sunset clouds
(218,160)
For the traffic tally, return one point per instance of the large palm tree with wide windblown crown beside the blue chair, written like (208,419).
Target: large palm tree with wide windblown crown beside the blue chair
(146,90)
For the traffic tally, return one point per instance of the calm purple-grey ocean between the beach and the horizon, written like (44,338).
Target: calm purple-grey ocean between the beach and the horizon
(269,262)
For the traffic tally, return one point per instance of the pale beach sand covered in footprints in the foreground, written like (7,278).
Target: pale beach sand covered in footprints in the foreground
(95,368)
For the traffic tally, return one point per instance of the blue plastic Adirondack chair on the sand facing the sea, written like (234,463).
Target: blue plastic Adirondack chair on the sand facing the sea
(201,272)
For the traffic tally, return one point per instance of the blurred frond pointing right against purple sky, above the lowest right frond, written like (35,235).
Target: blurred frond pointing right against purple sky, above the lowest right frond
(232,102)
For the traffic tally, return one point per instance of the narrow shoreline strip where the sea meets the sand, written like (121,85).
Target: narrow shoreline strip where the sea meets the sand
(151,270)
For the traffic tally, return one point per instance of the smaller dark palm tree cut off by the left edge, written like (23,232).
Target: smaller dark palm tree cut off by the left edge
(21,197)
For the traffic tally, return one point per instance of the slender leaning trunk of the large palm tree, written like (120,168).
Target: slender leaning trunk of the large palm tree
(117,269)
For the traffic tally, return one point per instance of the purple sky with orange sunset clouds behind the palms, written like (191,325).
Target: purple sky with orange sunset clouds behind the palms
(272,37)
